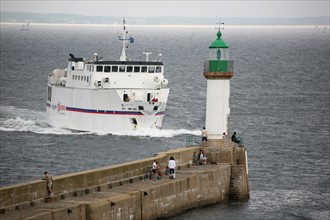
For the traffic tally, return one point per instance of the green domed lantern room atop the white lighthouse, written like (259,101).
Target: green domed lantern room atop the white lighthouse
(219,55)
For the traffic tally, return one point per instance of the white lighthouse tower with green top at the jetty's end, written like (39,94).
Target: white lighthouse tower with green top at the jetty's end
(218,70)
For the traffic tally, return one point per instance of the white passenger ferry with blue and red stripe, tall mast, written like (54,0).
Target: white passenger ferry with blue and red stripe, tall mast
(108,96)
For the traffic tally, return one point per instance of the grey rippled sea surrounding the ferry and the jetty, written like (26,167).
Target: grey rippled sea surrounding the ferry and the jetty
(280,105)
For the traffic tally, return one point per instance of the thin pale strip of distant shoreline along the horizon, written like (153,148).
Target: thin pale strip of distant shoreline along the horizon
(165,25)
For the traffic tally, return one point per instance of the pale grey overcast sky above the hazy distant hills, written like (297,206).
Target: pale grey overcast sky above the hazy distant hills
(255,9)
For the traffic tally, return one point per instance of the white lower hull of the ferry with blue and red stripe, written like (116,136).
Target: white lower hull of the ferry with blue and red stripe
(104,110)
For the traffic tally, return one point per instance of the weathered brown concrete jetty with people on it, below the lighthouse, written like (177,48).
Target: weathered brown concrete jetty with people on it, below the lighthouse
(120,191)
